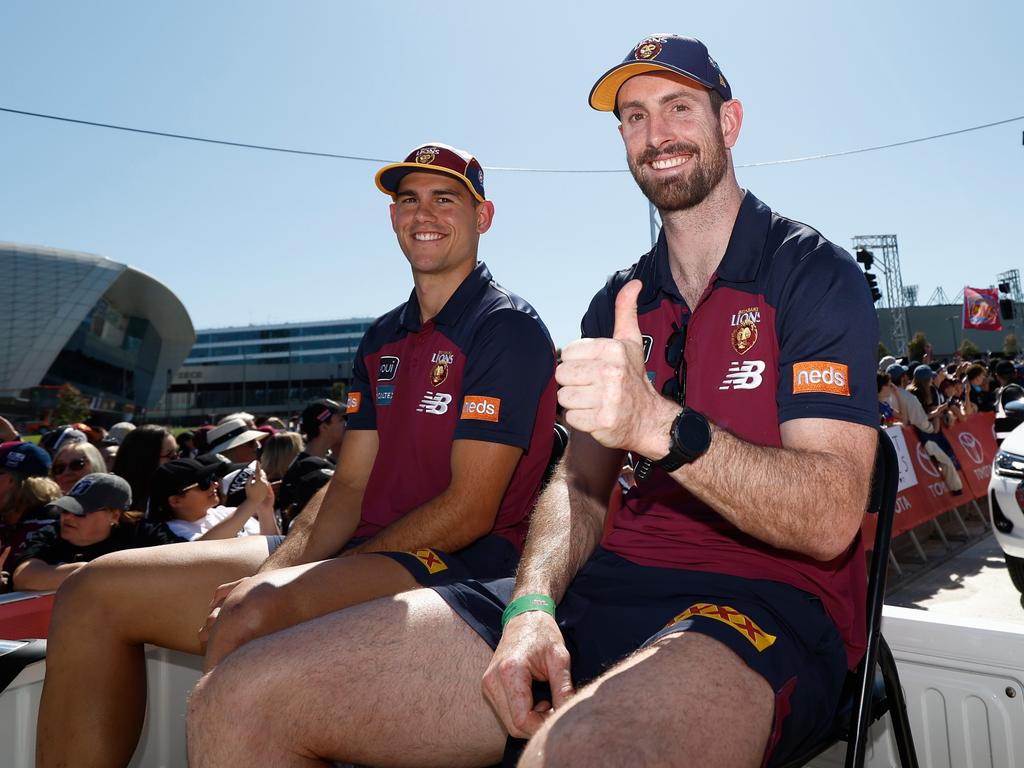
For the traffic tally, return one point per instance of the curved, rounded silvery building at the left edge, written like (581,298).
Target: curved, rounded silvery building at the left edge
(115,333)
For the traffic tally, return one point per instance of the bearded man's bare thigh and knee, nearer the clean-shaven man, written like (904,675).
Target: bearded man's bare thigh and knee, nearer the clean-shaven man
(392,682)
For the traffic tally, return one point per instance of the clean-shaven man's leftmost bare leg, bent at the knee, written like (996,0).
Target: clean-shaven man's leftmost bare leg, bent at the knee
(94,701)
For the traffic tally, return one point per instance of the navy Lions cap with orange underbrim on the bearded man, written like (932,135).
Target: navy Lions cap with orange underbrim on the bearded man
(684,56)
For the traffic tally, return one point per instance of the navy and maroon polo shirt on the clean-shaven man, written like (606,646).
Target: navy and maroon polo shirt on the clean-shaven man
(482,370)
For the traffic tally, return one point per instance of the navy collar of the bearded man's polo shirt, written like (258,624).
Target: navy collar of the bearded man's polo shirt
(740,265)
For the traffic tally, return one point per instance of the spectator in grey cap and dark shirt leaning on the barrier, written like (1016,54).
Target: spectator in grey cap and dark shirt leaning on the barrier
(96,521)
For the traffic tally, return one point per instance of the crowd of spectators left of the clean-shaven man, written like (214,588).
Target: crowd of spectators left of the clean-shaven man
(83,491)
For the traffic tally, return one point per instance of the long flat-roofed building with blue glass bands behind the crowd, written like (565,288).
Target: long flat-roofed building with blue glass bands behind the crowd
(274,369)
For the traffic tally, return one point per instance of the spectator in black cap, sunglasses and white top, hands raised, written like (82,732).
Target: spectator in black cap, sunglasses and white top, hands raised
(184,495)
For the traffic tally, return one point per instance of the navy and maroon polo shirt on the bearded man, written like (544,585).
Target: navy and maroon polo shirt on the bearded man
(787,330)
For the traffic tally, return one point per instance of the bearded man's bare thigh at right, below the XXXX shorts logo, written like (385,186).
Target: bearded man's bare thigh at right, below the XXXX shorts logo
(687,701)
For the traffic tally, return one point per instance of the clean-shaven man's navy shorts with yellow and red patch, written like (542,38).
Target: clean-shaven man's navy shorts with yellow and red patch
(488,559)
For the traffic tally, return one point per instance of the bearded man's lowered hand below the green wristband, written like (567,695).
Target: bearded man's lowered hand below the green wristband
(532,649)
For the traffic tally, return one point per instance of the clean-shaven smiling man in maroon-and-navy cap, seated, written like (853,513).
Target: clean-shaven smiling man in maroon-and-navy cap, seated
(450,426)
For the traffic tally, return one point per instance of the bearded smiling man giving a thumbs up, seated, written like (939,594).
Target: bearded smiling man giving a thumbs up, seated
(715,623)
